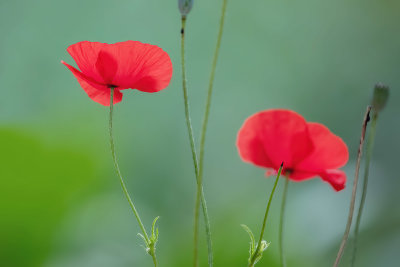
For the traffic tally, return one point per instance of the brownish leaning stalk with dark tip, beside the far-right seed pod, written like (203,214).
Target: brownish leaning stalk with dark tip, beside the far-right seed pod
(353,196)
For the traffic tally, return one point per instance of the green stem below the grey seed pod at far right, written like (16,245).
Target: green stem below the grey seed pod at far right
(370,145)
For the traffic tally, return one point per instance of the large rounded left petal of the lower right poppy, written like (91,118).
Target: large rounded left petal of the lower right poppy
(271,137)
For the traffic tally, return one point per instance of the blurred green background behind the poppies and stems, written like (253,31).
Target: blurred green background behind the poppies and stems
(60,201)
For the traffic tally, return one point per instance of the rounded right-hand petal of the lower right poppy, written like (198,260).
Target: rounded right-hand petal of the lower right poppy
(330,152)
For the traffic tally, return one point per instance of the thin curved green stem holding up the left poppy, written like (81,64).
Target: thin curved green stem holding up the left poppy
(124,189)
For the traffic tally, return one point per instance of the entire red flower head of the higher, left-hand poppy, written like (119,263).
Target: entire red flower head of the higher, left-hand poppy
(124,65)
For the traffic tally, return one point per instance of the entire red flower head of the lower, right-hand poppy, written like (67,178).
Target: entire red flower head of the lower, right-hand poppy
(307,149)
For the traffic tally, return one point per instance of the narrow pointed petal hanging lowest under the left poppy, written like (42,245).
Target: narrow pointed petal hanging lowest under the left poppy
(97,92)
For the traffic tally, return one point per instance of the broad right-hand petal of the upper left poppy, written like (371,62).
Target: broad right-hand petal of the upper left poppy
(145,67)
